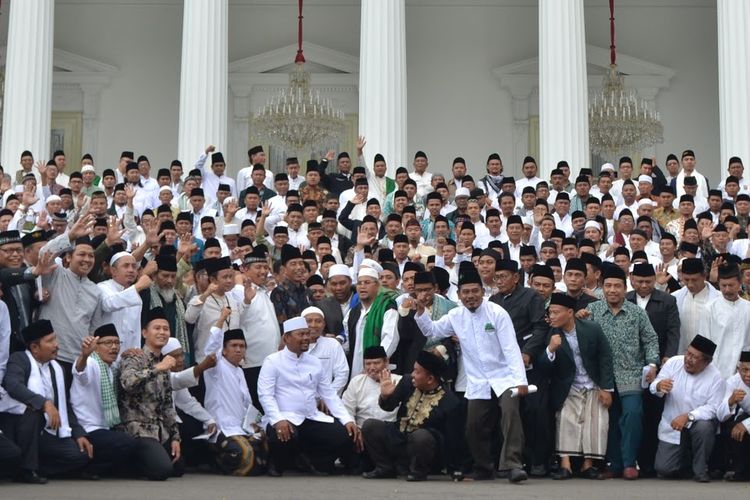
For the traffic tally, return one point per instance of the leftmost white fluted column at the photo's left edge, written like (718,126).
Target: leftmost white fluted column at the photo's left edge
(27,103)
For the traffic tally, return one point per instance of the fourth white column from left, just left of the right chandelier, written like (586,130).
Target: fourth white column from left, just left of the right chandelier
(563,86)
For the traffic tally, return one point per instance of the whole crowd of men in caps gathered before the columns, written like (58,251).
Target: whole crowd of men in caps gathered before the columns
(339,321)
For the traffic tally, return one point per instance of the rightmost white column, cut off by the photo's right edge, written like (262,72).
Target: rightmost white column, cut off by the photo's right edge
(733,17)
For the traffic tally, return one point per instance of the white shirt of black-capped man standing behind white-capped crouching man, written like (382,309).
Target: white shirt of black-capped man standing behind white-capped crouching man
(258,321)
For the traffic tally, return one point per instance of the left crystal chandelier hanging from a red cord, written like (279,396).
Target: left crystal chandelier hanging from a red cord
(297,118)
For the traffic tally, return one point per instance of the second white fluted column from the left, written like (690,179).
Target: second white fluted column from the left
(203,79)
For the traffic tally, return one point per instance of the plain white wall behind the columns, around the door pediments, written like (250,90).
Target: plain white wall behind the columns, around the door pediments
(455,105)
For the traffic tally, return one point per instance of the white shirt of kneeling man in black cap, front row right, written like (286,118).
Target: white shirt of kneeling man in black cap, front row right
(697,394)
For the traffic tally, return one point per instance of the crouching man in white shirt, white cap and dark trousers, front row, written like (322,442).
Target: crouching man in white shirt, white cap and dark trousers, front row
(291,383)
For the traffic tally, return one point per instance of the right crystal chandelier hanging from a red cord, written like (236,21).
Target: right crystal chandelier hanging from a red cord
(619,121)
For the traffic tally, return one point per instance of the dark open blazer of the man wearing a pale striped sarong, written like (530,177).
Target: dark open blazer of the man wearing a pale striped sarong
(596,356)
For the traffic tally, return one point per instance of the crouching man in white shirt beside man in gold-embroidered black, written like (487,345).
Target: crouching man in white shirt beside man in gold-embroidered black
(362,394)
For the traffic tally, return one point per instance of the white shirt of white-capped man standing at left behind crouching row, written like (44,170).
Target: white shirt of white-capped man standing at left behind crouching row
(122,307)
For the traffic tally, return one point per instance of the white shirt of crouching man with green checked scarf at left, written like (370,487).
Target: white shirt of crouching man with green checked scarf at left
(86,396)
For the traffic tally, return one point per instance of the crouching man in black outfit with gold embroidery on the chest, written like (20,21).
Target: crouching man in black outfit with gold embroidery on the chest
(426,427)
